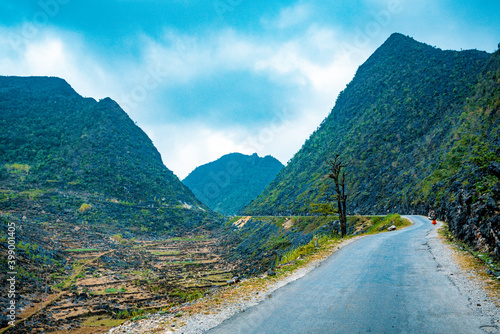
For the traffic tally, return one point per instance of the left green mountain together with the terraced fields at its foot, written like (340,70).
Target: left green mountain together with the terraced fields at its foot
(84,195)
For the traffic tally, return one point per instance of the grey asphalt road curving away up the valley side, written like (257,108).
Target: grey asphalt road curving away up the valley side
(385,283)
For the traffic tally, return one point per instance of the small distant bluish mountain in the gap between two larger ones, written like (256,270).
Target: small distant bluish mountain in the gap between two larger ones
(232,181)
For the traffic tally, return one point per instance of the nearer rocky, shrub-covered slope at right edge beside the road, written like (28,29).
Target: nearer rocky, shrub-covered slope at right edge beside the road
(465,189)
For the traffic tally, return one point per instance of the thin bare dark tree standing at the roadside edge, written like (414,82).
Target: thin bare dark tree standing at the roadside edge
(337,174)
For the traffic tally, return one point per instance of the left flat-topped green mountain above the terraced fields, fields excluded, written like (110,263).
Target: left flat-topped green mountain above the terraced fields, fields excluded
(65,151)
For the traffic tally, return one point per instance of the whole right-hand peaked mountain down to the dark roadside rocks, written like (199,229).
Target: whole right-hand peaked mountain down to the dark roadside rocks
(408,122)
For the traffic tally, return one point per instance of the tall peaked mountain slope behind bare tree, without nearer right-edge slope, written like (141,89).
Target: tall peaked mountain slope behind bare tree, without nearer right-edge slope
(391,122)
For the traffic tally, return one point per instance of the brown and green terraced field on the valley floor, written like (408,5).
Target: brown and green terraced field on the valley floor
(98,279)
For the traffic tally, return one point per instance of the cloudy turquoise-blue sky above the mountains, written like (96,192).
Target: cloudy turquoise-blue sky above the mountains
(208,78)
